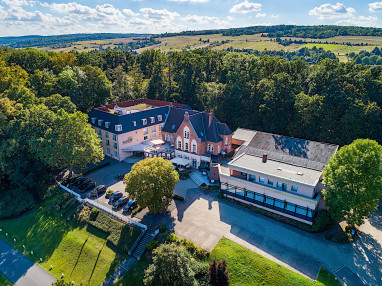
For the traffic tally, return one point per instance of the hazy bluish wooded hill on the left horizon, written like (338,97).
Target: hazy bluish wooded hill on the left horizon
(36,41)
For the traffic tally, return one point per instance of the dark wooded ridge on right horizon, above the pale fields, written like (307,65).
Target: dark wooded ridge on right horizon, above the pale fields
(317,32)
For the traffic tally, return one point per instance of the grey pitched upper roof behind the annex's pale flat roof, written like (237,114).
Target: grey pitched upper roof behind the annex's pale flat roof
(304,153)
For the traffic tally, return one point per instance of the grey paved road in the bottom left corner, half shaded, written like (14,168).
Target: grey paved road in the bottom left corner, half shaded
(20,270)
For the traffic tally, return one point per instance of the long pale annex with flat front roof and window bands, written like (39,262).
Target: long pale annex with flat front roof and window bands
(278,173)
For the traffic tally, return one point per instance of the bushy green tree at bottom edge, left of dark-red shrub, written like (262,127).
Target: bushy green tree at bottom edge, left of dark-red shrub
(171,266)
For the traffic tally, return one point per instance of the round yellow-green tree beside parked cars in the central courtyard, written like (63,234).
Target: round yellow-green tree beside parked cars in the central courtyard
(151,182)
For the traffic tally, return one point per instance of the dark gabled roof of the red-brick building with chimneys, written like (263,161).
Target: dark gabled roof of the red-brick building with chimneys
(200,123)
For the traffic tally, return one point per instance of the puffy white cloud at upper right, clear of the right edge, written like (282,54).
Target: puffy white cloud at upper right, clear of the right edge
(329,11)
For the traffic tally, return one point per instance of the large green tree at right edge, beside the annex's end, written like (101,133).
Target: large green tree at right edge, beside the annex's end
(353,181)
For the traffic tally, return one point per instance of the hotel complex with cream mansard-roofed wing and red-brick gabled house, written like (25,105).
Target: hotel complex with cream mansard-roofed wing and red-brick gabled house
(160,129)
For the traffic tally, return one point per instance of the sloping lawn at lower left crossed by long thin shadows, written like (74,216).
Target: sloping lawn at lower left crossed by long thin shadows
(70,249)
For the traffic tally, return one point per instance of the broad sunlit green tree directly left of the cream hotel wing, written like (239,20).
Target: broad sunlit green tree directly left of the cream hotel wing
(71,143)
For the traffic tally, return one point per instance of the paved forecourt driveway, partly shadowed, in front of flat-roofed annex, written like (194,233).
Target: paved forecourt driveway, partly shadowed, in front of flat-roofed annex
(204,220)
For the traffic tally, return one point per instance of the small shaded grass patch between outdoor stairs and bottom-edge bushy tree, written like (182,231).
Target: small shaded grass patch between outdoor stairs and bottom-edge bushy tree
(135,275)
